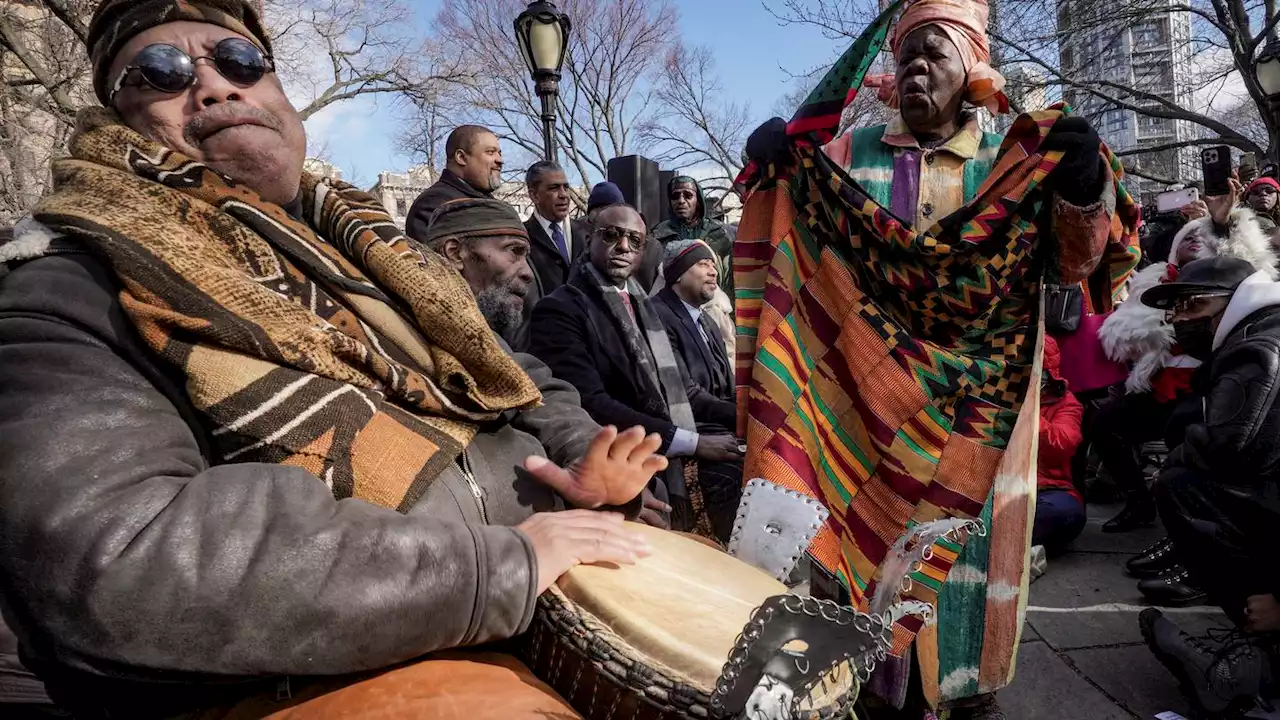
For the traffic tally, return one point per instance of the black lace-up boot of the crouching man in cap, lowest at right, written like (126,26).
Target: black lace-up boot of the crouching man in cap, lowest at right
(1219,683)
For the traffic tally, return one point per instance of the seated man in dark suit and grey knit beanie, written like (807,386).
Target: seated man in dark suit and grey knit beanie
(692,280)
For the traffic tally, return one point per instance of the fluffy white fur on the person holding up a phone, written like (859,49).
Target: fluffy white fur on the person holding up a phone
(1140,335)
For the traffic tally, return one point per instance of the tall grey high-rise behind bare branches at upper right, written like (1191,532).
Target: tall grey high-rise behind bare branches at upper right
(1151,56)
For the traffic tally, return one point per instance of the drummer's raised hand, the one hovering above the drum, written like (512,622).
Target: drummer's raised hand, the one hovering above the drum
(614,472)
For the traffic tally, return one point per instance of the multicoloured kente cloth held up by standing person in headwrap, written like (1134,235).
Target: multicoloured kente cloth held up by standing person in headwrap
(884,371)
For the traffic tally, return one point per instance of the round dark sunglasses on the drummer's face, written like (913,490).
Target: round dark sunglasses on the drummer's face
(170,70)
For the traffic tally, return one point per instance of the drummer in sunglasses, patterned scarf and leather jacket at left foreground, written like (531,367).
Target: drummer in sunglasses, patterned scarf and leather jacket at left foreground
(258,448)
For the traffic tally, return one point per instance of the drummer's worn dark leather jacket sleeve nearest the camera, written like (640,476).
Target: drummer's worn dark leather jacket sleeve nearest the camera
(124,554)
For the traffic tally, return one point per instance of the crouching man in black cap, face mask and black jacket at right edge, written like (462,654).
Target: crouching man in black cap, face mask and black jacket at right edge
(1219,495)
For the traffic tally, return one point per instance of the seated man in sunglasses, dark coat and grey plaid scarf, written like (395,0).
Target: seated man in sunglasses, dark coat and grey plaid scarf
(602,334)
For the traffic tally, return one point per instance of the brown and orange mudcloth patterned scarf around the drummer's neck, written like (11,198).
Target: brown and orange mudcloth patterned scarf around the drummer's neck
(332,344)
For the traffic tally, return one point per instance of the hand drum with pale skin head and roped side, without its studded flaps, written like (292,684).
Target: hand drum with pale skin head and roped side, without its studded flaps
(646,641)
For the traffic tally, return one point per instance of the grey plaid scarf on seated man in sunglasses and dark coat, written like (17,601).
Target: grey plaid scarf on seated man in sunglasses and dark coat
(648,345)
